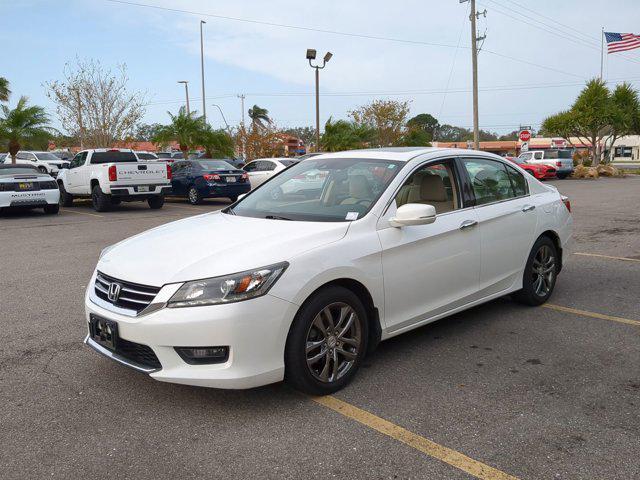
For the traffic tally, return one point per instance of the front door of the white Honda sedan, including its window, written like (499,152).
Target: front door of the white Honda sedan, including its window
(429,269)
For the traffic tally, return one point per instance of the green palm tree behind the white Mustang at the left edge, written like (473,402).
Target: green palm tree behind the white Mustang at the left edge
(22,125)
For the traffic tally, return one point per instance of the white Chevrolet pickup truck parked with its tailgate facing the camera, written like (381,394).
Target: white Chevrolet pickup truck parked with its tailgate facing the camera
(111,176)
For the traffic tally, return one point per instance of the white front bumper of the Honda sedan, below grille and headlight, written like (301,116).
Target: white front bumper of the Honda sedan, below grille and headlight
(254,330)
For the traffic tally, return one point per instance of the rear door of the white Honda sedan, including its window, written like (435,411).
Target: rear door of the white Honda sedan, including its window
(507,220)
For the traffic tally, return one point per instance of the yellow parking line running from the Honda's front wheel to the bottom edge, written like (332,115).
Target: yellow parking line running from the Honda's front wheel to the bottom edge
(424,445)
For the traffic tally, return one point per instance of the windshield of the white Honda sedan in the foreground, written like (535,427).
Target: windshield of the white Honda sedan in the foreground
(323,190)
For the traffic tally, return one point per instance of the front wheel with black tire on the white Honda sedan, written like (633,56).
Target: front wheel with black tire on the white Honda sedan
(302,375)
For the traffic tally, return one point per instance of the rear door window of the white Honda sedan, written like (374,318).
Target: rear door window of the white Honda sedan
(489,180)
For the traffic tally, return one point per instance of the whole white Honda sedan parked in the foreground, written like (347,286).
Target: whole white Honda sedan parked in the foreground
(300,287)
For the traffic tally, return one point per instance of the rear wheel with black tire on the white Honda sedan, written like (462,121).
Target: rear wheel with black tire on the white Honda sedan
(537,287)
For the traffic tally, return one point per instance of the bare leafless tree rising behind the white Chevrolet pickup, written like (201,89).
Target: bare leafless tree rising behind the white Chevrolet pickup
(94,104)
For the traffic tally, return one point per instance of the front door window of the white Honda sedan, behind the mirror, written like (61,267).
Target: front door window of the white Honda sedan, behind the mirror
(433,184)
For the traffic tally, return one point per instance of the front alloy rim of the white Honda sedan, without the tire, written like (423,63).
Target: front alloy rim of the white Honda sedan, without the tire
(333,342)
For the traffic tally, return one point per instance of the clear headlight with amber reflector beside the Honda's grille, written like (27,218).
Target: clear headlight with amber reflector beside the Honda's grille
(227,289)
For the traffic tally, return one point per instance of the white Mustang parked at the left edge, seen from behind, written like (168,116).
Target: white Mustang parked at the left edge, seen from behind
(24,186)
